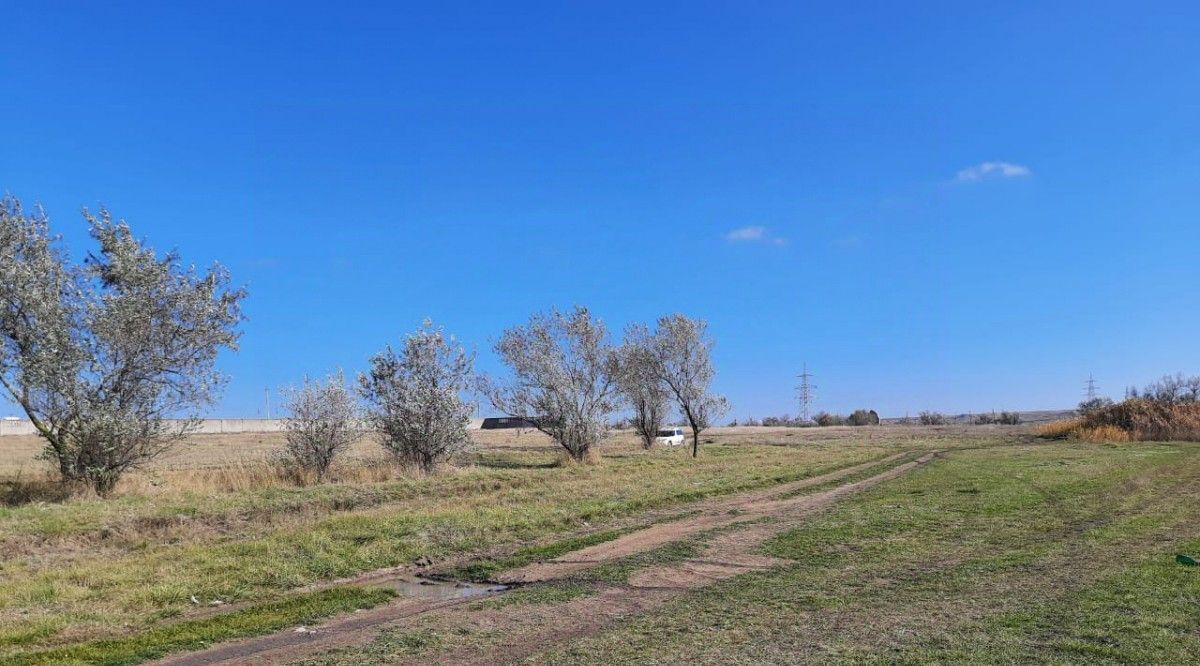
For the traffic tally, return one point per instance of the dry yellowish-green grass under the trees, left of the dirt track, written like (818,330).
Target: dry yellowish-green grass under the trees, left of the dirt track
(88,569)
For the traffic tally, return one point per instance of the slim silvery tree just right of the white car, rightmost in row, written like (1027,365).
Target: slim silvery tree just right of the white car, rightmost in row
(685,364)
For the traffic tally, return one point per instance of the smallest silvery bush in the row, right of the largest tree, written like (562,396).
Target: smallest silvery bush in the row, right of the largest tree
(323,421)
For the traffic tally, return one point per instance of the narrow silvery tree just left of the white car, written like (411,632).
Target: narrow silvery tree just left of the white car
(644,391)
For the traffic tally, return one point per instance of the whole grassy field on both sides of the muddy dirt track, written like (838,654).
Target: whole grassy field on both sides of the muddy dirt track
(1006,549)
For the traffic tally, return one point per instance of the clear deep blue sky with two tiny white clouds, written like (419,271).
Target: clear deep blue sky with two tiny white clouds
(938,206)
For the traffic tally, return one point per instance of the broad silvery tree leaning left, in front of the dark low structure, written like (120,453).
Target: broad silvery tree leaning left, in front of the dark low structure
(563,381)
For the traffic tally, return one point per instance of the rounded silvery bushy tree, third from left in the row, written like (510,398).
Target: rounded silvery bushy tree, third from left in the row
(416,398)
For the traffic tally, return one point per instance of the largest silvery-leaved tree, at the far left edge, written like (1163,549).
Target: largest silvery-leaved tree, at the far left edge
(100,356)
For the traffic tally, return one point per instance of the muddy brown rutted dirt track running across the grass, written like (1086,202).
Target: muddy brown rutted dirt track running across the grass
(532,629)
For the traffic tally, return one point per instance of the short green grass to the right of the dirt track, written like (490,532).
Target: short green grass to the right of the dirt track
(1051,554)
